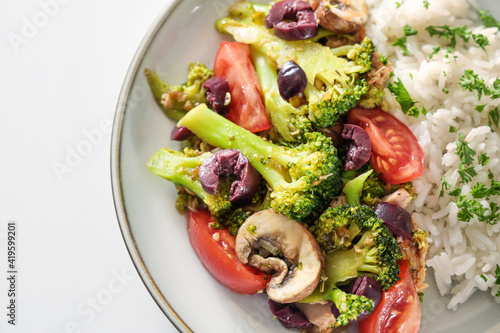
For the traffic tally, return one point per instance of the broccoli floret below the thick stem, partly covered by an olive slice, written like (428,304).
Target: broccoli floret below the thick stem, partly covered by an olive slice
(182,169)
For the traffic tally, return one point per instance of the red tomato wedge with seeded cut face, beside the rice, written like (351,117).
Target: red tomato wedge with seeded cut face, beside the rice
(396,153)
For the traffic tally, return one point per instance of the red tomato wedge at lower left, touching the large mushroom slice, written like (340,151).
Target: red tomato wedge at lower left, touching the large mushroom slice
(215,248)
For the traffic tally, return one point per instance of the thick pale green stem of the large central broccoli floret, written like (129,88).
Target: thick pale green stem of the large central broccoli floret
(220,132)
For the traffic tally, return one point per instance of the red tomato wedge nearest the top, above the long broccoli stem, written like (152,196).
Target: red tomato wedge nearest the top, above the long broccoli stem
(233,61)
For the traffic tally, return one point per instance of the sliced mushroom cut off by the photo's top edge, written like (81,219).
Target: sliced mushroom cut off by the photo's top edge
(341,16)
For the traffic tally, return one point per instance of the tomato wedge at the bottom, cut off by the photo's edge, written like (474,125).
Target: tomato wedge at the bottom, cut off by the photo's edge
(399,309)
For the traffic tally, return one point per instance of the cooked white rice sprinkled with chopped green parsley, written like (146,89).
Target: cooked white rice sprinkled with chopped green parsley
(463,256)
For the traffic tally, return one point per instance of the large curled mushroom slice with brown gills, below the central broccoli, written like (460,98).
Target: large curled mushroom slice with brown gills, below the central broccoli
(275,244)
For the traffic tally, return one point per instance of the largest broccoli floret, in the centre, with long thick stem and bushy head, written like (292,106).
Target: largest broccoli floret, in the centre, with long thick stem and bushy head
(304,178)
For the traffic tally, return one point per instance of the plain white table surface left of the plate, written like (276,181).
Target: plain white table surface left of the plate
(62,66)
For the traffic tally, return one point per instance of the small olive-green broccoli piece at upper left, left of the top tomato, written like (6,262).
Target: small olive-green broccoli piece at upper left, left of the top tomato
(175,100)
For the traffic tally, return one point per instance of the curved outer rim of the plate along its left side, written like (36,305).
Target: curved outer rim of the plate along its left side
(115,157)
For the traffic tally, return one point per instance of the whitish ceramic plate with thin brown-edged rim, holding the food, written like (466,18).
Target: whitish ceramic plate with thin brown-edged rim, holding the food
(155,233)
